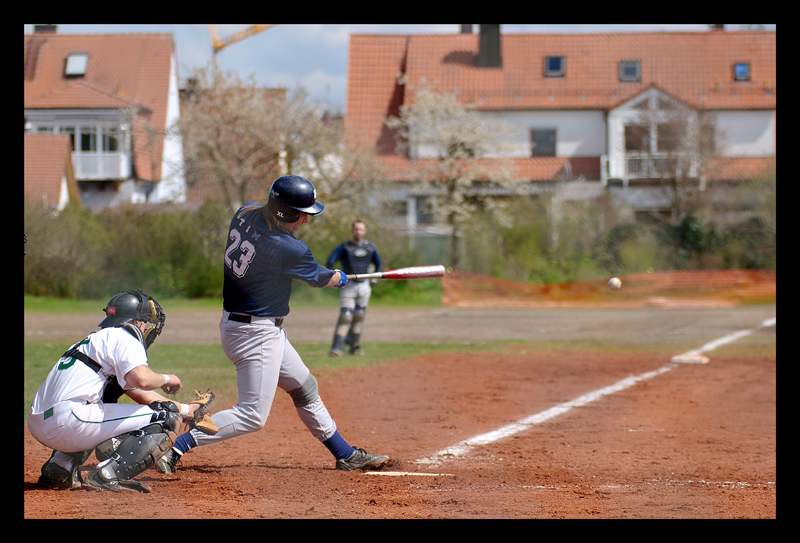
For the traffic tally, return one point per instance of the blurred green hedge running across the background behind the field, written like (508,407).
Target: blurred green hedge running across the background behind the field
(177,253)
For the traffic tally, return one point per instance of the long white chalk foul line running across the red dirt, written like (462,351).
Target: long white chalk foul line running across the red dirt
(462,448)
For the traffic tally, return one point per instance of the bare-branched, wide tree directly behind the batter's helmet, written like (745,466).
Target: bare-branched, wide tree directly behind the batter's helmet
(239,137)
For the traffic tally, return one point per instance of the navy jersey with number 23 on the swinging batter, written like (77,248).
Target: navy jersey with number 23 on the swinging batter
(260,266)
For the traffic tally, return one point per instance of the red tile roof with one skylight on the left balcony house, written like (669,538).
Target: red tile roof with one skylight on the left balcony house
(123,70)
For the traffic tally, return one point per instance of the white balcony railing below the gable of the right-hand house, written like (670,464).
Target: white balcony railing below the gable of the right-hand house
(642,165)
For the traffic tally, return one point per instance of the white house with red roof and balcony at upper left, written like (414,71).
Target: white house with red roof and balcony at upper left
(114,96)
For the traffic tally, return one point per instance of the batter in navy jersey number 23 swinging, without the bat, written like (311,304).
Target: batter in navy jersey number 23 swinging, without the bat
(261,260)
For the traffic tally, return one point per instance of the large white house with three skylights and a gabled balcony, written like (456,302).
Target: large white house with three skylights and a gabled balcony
(588,107)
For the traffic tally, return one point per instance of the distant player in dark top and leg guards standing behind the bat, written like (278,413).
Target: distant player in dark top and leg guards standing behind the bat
(356,256)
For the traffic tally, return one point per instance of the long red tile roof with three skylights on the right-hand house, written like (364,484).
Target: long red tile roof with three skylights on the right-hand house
(694,67)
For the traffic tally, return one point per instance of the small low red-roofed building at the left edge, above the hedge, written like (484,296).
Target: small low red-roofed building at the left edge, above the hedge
(48,173)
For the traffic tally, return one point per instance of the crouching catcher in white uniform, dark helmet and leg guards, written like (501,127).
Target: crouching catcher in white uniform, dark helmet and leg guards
(75,411)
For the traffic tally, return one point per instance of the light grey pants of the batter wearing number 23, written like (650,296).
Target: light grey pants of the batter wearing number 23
(265,361)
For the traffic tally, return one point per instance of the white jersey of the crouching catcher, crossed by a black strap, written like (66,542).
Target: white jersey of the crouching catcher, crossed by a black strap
(117,352)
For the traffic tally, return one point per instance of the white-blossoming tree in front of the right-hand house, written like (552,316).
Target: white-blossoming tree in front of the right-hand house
(456,156)
